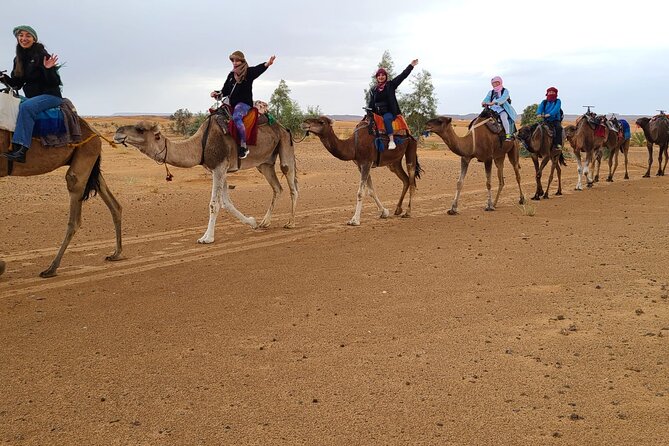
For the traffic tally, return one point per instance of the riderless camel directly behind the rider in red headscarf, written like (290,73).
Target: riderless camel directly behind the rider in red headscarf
(582,138)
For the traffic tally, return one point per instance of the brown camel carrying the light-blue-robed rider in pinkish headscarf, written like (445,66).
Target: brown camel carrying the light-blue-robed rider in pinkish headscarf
(482,144)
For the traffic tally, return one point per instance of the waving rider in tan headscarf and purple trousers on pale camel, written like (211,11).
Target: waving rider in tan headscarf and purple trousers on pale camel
(238,87)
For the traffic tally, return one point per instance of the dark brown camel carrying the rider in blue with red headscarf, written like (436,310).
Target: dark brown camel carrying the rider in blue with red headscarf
(538,141)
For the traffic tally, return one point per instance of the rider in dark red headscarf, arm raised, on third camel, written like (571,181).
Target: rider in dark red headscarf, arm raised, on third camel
(383,101)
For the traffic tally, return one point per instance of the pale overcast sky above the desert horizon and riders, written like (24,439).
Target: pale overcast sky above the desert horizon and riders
(159,56)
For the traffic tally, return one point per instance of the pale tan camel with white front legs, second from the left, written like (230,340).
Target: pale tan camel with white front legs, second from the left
(219,155)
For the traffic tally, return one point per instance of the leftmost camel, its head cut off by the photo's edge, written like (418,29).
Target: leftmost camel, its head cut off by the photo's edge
(82,177)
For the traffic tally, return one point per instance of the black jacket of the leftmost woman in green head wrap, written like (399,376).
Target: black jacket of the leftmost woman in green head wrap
(36,79)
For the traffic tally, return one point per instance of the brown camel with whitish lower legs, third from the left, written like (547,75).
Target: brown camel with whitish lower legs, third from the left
(360,149)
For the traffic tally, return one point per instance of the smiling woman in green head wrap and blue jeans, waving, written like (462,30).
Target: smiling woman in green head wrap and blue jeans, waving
(36,71)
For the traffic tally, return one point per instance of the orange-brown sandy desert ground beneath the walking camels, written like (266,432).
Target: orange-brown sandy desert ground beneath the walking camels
(486,328)
